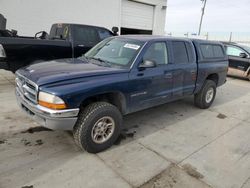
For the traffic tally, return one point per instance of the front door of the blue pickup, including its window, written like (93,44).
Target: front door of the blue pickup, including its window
(151,86)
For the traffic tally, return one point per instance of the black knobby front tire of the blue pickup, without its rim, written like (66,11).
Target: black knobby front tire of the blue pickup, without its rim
(87,117)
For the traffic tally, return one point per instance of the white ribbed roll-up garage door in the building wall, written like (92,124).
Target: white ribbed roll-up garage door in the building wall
(137,15)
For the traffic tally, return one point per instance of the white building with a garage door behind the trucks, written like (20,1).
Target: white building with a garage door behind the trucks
(131,16)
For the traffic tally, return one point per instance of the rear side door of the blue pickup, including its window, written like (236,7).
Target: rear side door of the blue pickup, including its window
(183,68)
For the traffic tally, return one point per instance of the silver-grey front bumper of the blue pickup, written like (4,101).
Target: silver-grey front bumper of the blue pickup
(52,119)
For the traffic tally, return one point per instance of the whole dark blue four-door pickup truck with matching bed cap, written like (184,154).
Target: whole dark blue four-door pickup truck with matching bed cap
(120,75)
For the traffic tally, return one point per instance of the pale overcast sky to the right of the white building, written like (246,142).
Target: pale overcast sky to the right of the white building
(220,16)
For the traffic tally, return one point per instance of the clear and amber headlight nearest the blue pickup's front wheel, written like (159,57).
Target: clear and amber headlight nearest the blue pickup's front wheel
(50,101)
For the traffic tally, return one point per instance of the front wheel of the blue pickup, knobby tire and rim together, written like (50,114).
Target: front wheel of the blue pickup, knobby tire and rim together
(98,126)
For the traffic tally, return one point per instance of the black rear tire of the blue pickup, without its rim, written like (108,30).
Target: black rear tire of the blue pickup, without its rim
(200,98)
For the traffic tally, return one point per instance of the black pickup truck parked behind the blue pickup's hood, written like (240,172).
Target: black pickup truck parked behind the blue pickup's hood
(63,41)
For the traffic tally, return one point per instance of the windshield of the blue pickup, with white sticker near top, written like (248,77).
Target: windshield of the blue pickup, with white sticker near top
(115,51)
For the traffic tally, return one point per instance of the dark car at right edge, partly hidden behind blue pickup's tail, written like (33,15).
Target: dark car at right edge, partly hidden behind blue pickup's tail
(239,59)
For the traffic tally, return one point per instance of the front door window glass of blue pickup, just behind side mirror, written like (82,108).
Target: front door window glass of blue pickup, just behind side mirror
(157,52)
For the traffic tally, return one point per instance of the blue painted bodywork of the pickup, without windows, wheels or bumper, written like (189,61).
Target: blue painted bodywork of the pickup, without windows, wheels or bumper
(75,80)
